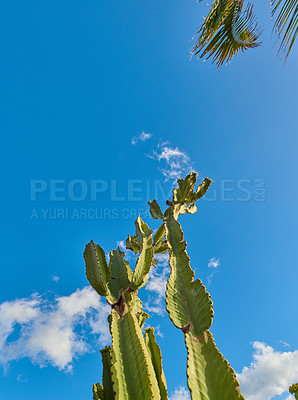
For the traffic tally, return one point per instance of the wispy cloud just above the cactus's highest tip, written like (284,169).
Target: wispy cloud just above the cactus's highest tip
(175,163)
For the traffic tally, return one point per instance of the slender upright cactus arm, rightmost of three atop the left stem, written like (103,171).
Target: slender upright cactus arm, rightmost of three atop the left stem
(144,261)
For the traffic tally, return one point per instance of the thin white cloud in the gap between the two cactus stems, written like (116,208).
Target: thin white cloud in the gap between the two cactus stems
(157,285)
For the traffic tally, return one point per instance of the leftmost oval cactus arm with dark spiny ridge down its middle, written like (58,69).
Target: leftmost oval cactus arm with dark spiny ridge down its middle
(97,270)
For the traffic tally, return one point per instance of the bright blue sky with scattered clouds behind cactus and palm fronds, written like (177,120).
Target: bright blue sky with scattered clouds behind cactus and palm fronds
(80,82)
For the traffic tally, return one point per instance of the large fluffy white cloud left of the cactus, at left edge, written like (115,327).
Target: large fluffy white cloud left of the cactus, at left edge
(46,332)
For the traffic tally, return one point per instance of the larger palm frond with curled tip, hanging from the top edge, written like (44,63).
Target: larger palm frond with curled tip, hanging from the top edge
(226,30)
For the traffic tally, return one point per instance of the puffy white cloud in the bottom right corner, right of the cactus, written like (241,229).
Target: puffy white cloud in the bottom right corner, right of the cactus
(270,374)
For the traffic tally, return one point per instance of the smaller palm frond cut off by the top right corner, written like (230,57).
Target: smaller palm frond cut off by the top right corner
(287,22)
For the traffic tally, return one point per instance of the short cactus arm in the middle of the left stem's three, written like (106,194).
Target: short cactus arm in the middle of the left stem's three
(121,273)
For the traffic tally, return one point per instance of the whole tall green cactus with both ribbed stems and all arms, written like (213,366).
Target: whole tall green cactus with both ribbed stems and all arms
(132,367)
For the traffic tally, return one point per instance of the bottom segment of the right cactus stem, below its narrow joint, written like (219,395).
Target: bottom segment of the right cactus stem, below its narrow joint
(209,375)
